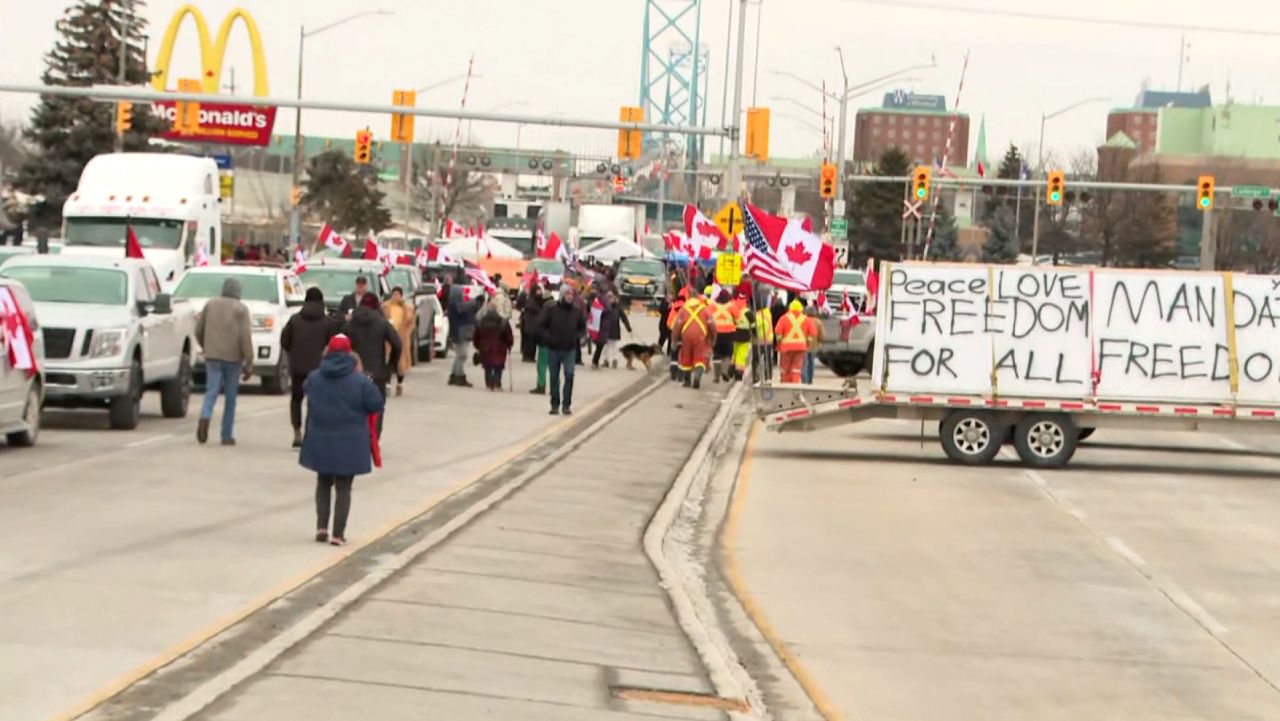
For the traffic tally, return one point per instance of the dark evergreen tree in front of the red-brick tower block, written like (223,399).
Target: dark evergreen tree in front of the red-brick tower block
(876,212)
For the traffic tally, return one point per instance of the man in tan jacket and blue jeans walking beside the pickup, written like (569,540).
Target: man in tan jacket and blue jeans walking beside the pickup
(223,334)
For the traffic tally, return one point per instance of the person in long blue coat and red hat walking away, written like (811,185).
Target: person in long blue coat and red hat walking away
(337,444)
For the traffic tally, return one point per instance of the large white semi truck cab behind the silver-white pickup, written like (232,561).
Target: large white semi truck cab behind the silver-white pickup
(172,202)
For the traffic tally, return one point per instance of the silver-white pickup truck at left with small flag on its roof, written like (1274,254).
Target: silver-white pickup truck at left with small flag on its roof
(109,334)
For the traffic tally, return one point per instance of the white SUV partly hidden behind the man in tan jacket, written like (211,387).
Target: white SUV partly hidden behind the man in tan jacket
(273,295)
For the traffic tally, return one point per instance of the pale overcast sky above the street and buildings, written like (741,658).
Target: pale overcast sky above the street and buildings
(582,58)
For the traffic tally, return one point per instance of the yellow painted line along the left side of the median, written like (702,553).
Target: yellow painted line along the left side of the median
(205,635)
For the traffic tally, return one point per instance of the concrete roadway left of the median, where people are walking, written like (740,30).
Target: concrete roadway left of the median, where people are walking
(126,547)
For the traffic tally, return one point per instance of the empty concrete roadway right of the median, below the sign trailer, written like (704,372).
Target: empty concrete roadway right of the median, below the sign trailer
(1140,583)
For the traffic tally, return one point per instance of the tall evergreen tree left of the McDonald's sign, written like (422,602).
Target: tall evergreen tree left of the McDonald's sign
(67,133)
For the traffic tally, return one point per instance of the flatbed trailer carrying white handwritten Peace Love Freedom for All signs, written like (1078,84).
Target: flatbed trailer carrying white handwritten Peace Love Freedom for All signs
(1044,357)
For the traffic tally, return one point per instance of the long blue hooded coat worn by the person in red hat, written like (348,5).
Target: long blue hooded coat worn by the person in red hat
(339,405)
